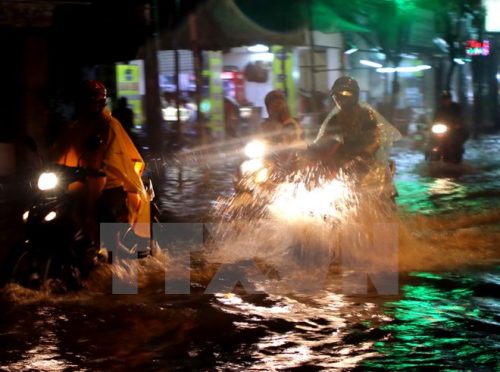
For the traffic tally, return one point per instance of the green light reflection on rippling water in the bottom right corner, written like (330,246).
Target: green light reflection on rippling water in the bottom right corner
(436,326)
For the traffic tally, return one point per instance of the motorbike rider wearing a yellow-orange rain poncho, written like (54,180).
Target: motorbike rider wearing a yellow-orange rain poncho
(98,141)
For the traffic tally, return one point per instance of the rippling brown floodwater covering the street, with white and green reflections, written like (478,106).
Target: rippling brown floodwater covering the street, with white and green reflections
(443,313)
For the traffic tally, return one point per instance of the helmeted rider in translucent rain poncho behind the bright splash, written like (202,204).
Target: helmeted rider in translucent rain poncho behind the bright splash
(356,138)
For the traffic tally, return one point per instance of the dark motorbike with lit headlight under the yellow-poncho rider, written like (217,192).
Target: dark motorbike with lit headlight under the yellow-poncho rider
(55,251)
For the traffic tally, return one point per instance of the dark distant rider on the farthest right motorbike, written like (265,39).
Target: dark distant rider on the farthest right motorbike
(449,113)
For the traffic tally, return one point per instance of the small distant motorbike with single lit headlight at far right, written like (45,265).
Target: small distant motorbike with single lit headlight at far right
(442,146)
